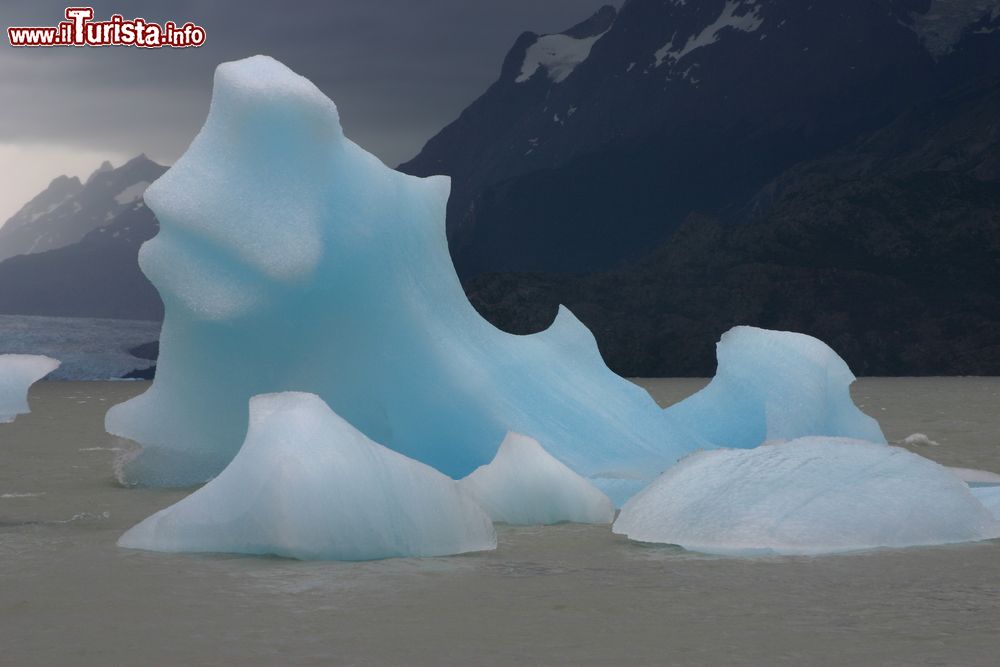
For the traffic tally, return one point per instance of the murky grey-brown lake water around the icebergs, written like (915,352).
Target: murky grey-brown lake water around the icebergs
(559,595)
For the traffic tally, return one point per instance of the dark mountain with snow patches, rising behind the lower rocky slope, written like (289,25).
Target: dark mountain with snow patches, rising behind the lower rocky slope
(595,144)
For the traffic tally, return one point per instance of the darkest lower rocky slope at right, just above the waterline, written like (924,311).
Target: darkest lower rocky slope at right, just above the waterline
(888,249)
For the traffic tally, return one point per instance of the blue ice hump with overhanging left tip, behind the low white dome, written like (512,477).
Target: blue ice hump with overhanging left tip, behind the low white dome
(775,385)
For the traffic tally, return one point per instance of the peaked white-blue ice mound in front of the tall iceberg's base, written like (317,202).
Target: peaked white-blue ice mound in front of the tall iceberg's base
(308,485)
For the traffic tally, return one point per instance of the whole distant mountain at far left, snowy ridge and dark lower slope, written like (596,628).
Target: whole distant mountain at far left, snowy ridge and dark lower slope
(97,275)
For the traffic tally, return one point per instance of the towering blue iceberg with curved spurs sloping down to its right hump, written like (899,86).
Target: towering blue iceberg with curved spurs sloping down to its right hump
(288,258)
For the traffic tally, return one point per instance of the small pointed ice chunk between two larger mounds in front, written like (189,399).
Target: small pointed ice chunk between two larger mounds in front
(524,485)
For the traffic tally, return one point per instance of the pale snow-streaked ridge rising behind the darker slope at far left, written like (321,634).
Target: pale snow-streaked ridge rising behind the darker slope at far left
(68,210)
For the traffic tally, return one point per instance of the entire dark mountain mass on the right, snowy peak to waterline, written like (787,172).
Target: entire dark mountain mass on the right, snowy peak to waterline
(675,168)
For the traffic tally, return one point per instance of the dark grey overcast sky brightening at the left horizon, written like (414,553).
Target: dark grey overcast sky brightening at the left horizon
(399,70)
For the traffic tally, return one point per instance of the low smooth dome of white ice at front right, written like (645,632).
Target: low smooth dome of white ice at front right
(808,496)
